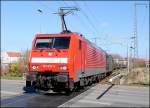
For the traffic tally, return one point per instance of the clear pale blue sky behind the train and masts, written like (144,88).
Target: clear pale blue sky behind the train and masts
(111,22)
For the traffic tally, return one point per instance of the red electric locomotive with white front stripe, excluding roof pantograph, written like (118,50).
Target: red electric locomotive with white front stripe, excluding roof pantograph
(64,61)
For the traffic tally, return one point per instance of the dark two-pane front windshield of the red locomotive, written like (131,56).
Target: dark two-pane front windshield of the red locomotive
(52,42)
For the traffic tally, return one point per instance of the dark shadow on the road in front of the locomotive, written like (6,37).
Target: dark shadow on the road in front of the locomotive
(41,99)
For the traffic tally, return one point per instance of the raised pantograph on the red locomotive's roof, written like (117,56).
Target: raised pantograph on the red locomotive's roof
(62,12)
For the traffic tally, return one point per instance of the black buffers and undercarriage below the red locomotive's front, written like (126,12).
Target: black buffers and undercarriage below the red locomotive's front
(49,80)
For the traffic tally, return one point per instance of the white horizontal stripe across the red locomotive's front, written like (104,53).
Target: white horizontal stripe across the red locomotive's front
(49,60)
